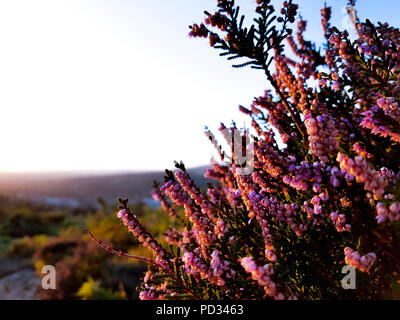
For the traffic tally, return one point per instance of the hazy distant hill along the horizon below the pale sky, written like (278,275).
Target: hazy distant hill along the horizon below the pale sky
(82,189)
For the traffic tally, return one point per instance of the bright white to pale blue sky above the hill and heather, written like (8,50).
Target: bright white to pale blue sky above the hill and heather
(117,85)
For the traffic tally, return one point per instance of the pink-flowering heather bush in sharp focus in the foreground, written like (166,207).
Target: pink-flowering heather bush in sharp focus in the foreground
(323,191)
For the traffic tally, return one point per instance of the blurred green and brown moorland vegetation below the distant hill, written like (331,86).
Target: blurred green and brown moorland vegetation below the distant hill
(33,235)
